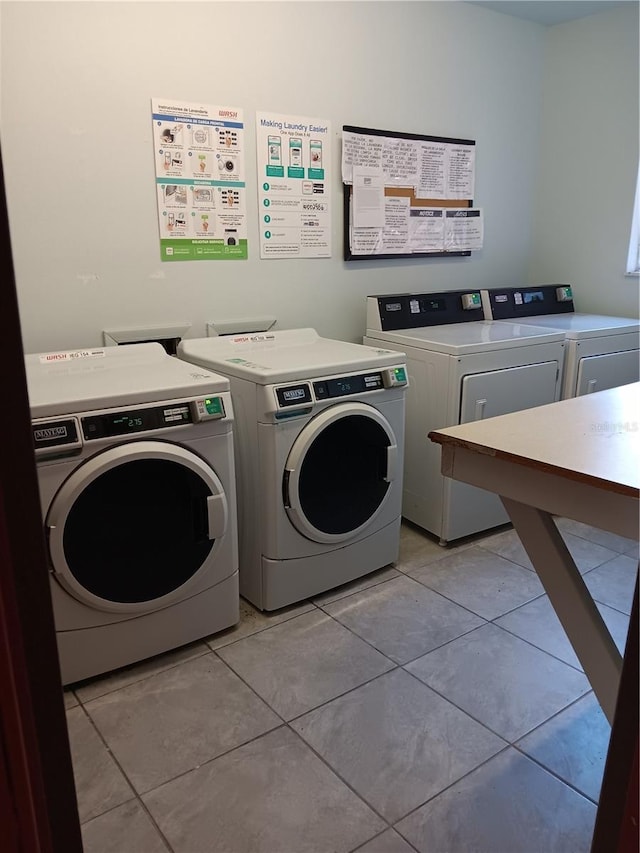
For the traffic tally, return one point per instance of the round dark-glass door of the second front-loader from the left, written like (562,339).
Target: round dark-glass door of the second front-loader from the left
(338,472)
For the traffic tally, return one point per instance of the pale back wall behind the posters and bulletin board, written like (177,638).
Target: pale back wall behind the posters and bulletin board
(77,81)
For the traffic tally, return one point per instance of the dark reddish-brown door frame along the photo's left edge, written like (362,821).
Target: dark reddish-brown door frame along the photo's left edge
(38,809)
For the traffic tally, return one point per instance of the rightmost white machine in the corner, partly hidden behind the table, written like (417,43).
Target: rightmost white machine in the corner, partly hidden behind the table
(601,352)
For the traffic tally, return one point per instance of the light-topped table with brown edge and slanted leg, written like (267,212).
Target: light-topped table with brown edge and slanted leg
(577,458)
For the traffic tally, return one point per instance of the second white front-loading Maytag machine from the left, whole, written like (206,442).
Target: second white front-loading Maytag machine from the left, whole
(319,446)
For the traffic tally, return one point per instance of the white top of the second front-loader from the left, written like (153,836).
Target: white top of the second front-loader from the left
(283,356)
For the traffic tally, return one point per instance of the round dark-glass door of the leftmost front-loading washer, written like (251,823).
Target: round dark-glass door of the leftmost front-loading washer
(134,526)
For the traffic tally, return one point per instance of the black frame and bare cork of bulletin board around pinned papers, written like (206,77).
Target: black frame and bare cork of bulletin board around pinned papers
(401,191)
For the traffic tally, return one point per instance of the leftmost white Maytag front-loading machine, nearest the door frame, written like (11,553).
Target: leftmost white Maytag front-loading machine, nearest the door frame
(135,463)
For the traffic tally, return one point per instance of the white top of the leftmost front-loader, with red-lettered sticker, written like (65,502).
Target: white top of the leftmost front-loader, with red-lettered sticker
(103,377)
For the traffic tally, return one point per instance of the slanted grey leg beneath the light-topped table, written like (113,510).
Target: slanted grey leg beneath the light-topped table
(571,600)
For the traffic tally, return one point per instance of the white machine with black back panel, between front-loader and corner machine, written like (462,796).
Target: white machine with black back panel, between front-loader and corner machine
(461,368)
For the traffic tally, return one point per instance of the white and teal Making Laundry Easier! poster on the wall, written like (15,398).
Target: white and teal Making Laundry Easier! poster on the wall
(294,180)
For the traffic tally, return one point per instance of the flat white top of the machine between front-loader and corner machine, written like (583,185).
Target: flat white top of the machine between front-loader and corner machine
(468,338)
